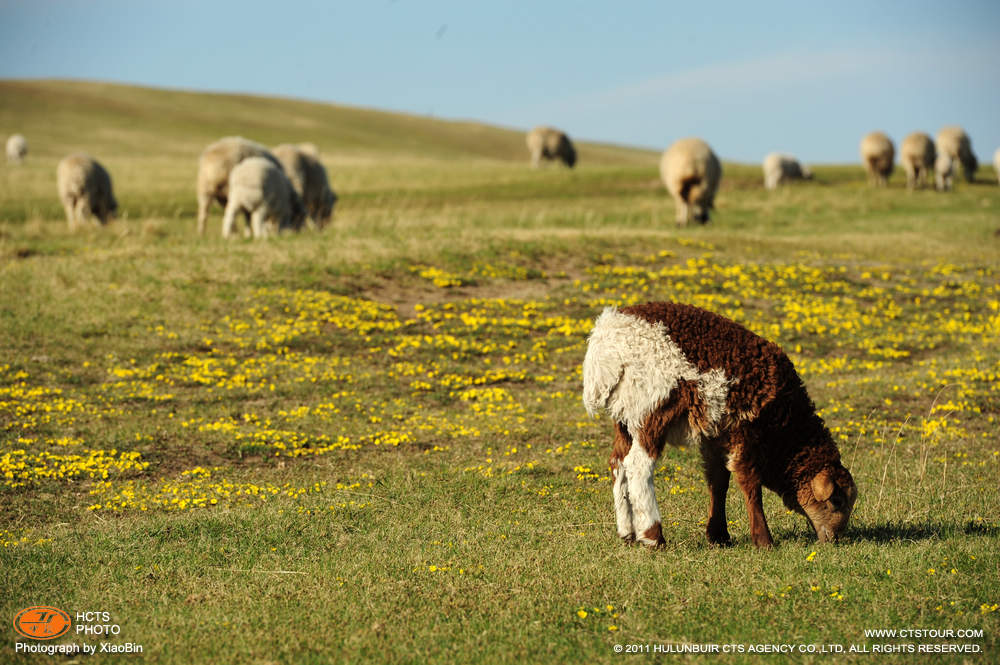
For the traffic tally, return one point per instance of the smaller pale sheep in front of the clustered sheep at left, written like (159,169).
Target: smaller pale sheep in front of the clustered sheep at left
(259,189)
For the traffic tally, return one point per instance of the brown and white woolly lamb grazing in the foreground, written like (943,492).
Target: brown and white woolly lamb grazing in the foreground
(673,373)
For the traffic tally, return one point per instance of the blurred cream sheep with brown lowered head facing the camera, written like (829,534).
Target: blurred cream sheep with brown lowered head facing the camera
(691,173)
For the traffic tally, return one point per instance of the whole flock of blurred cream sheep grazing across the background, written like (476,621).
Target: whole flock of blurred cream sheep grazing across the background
(284,187)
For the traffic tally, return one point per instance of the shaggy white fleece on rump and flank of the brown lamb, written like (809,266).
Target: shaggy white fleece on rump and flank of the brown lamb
(631,366)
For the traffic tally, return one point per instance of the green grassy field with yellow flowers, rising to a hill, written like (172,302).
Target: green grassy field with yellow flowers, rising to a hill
(368,444)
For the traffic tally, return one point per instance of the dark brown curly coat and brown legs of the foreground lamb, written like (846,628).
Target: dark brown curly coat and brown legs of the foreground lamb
(769,434)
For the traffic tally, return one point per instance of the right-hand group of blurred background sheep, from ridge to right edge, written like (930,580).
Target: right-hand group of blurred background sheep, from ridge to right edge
(691,171)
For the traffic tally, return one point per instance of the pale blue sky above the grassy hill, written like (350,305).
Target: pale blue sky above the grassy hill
(750,77)
